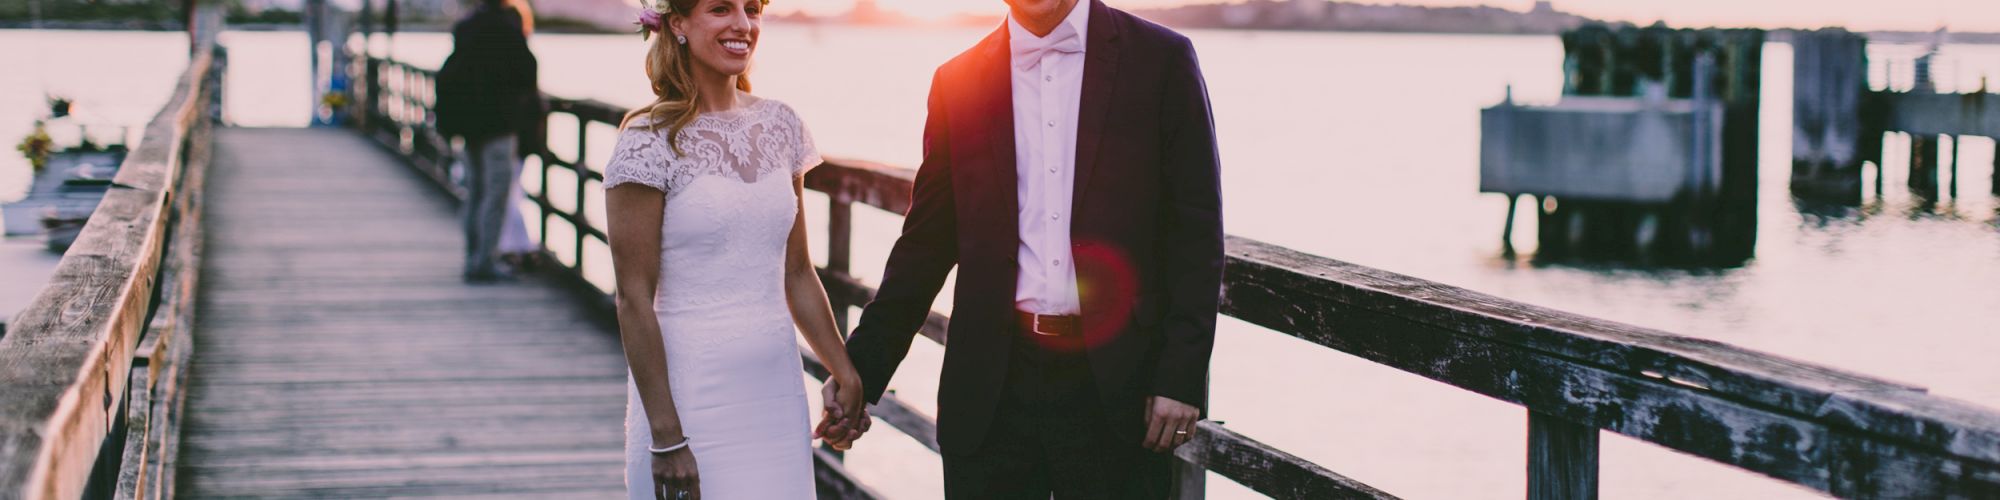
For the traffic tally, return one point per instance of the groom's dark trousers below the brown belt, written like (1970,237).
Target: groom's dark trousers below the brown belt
(1051,439)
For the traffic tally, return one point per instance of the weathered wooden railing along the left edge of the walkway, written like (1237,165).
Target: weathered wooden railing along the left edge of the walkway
(93,373)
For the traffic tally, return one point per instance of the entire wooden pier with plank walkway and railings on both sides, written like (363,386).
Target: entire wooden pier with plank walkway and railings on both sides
(275,313)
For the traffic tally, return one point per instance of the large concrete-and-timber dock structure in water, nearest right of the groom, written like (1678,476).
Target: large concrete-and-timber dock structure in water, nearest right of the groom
(1651,155)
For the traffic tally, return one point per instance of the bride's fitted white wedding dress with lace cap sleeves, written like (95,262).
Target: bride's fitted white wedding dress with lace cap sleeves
(731,343)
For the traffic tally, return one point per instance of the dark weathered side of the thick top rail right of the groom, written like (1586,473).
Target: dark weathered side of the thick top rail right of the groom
(1805,449)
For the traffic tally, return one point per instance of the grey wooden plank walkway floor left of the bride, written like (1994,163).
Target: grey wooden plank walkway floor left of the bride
(339,355)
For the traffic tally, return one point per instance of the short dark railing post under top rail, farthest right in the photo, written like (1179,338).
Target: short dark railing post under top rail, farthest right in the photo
(1563,459)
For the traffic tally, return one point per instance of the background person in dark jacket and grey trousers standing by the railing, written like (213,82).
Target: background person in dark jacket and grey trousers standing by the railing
(487,95)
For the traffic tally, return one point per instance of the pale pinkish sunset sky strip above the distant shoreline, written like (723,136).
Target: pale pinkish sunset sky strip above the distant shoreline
(1857,15)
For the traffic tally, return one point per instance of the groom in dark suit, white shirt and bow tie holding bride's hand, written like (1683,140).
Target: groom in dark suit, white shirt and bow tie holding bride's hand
(1071,175)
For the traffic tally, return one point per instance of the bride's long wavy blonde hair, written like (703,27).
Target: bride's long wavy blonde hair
(671,71)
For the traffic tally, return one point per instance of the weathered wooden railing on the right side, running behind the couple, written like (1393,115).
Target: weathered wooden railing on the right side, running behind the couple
(1823,429)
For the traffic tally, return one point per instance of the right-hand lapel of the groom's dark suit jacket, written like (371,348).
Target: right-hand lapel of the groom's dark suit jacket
(1101,69)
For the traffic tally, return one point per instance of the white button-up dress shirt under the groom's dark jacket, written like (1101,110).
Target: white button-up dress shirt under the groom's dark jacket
(1047,93)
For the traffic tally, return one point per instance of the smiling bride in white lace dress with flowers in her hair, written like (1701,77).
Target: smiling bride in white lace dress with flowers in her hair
(709,247)
